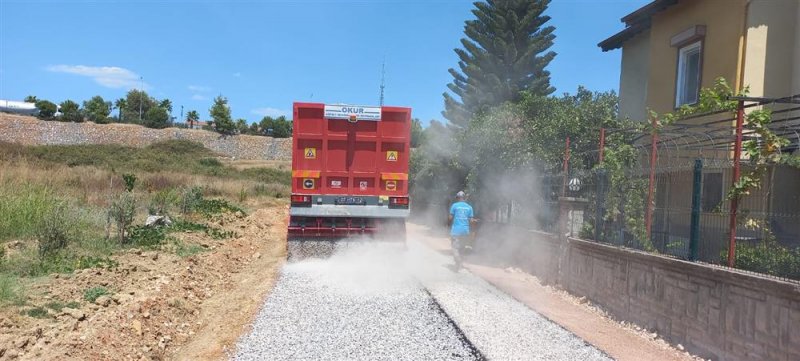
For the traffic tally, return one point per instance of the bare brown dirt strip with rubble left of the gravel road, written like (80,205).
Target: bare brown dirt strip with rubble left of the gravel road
(162,306)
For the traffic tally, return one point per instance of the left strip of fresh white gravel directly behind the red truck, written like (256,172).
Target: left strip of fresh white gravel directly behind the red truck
(347,309)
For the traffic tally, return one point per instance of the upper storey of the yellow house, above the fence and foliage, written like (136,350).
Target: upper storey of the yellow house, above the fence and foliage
(672,48)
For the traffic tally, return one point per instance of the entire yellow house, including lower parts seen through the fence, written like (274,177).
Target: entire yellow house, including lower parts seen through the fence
(671,49)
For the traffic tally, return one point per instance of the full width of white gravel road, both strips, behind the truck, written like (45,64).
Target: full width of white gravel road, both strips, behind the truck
(375,303)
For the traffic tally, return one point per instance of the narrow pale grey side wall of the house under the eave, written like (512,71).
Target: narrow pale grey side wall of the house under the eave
(633,77)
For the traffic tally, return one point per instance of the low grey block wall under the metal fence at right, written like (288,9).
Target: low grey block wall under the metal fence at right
(713,312)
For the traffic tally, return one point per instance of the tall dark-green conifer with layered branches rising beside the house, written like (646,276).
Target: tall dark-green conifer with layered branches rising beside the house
(504,53)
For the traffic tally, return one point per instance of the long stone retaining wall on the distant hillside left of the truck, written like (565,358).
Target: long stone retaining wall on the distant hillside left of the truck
(31,131)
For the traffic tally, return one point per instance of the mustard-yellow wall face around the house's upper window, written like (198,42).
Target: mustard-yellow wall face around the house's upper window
(724,21)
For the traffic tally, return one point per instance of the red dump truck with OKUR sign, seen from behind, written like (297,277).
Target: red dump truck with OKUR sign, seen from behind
(349,175)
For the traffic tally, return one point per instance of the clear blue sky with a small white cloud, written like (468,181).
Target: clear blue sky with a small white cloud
(263,55)
